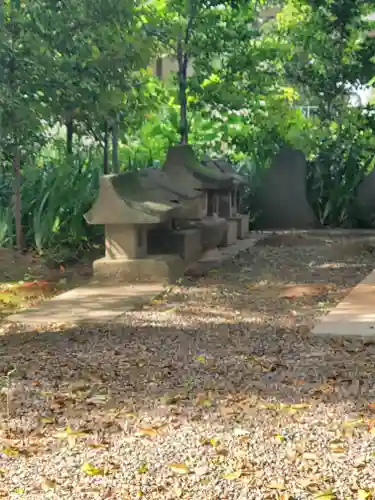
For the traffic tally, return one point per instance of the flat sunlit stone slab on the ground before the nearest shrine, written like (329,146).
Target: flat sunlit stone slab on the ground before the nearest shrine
(89,304)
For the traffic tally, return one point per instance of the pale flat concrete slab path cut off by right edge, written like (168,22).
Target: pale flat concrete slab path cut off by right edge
(354,316)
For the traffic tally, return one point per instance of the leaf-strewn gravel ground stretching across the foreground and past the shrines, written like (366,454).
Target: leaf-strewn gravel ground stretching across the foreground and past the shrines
(216,391)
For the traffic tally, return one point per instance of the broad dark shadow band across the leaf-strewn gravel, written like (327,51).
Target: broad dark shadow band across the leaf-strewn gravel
(86,373)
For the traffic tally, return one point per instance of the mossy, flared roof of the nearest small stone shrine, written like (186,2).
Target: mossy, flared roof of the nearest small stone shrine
(143,197)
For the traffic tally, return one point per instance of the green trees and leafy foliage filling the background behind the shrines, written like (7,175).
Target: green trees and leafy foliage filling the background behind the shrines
(84,63)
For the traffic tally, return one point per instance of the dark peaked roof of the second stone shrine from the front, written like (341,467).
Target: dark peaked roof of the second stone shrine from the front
(183,168)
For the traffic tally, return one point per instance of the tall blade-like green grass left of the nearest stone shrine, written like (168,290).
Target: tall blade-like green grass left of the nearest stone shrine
(56,192)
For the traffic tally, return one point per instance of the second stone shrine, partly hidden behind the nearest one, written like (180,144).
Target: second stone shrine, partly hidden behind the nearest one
(183,169)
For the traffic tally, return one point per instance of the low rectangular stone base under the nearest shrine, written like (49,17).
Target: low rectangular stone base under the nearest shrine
(155,268)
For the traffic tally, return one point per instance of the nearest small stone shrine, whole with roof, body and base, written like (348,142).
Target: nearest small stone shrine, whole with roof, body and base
(130,205)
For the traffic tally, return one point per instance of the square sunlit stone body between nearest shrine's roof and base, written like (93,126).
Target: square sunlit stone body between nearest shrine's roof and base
(125,241)
